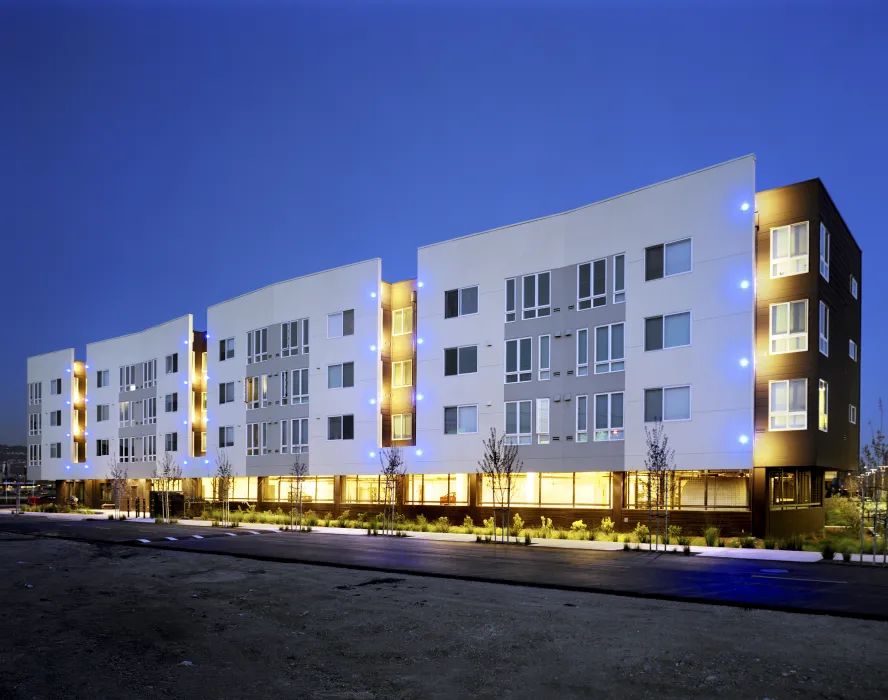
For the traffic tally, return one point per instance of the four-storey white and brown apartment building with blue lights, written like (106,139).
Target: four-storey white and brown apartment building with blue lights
(687,303)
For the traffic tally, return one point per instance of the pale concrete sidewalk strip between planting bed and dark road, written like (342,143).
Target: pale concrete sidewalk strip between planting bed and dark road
(770,555)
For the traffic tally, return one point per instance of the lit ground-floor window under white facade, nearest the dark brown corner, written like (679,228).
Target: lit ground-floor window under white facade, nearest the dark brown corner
(688,490)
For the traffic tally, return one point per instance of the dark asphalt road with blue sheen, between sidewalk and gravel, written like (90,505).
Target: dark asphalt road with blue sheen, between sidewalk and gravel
(832,588)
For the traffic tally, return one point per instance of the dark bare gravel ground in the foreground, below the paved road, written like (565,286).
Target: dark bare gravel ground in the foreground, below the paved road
(88,621)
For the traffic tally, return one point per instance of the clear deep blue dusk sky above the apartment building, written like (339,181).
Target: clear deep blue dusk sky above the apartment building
(155,158)
